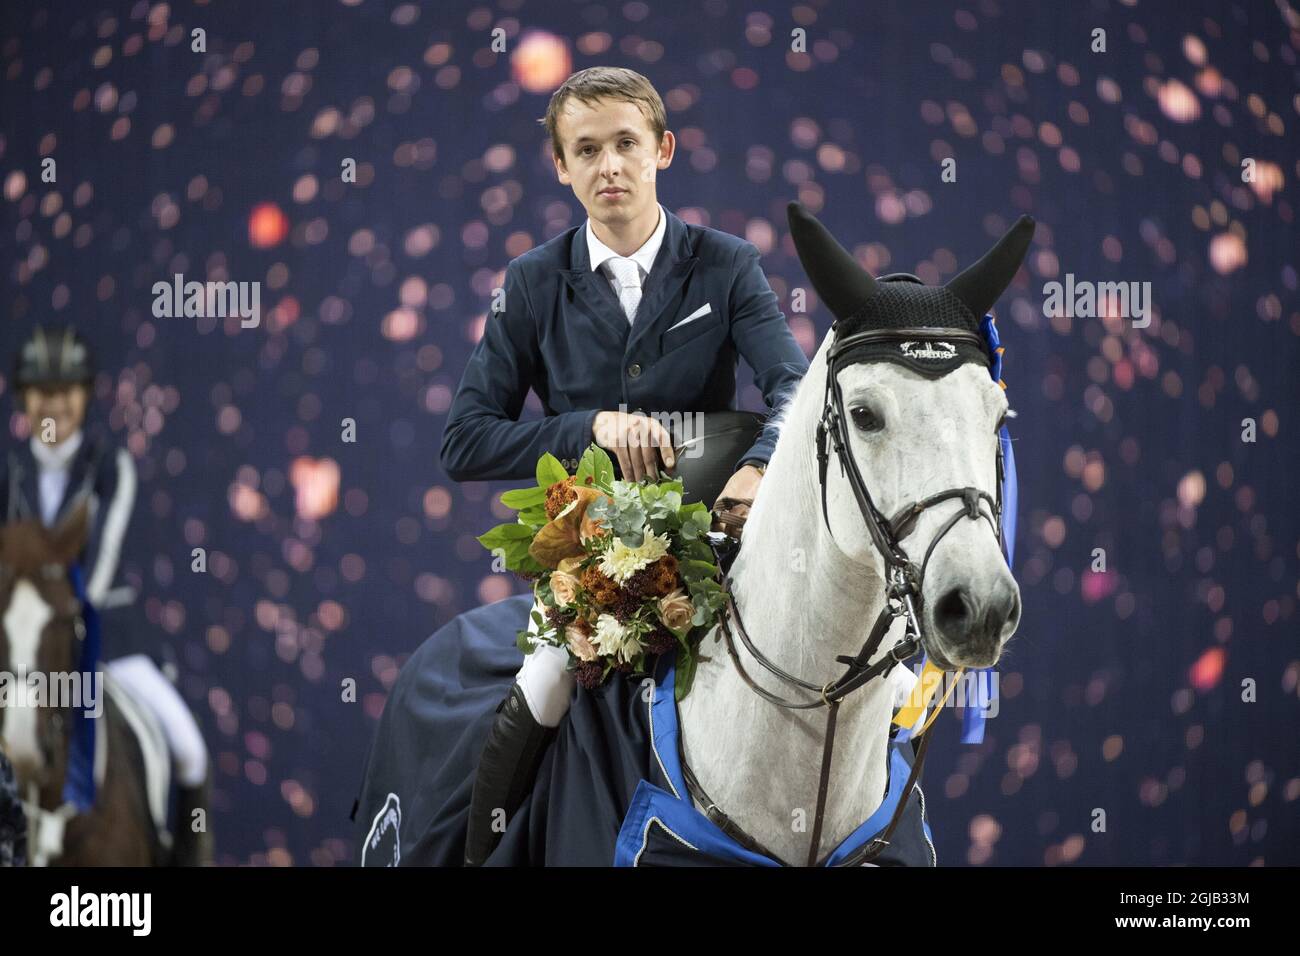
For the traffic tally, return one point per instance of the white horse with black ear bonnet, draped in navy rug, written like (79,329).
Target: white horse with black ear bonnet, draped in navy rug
(920,429)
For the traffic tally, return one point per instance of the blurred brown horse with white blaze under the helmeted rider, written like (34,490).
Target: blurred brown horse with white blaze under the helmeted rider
(41,631)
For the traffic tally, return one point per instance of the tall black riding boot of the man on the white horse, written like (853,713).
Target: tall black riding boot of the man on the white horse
(506,773)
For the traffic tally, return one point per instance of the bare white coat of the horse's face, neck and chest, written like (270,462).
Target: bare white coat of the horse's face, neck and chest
(808,596)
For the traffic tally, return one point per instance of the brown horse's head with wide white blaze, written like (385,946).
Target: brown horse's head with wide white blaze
(40,615)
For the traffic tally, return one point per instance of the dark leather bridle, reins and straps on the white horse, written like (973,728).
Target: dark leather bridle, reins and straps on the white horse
(903,596)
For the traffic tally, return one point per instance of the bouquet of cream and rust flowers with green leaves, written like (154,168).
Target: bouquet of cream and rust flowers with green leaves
(622,572)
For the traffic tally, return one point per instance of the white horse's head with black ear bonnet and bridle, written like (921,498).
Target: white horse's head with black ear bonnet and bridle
(908,373)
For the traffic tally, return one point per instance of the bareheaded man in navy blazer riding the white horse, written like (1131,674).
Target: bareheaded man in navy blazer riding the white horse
(645,313)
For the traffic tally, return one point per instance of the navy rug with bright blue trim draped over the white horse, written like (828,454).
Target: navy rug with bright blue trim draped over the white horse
(609,791)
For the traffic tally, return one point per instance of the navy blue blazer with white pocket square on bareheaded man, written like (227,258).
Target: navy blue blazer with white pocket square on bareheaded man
(564,334)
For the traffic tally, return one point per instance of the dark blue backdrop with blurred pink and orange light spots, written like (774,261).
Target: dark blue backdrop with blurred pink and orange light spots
(332,561)
